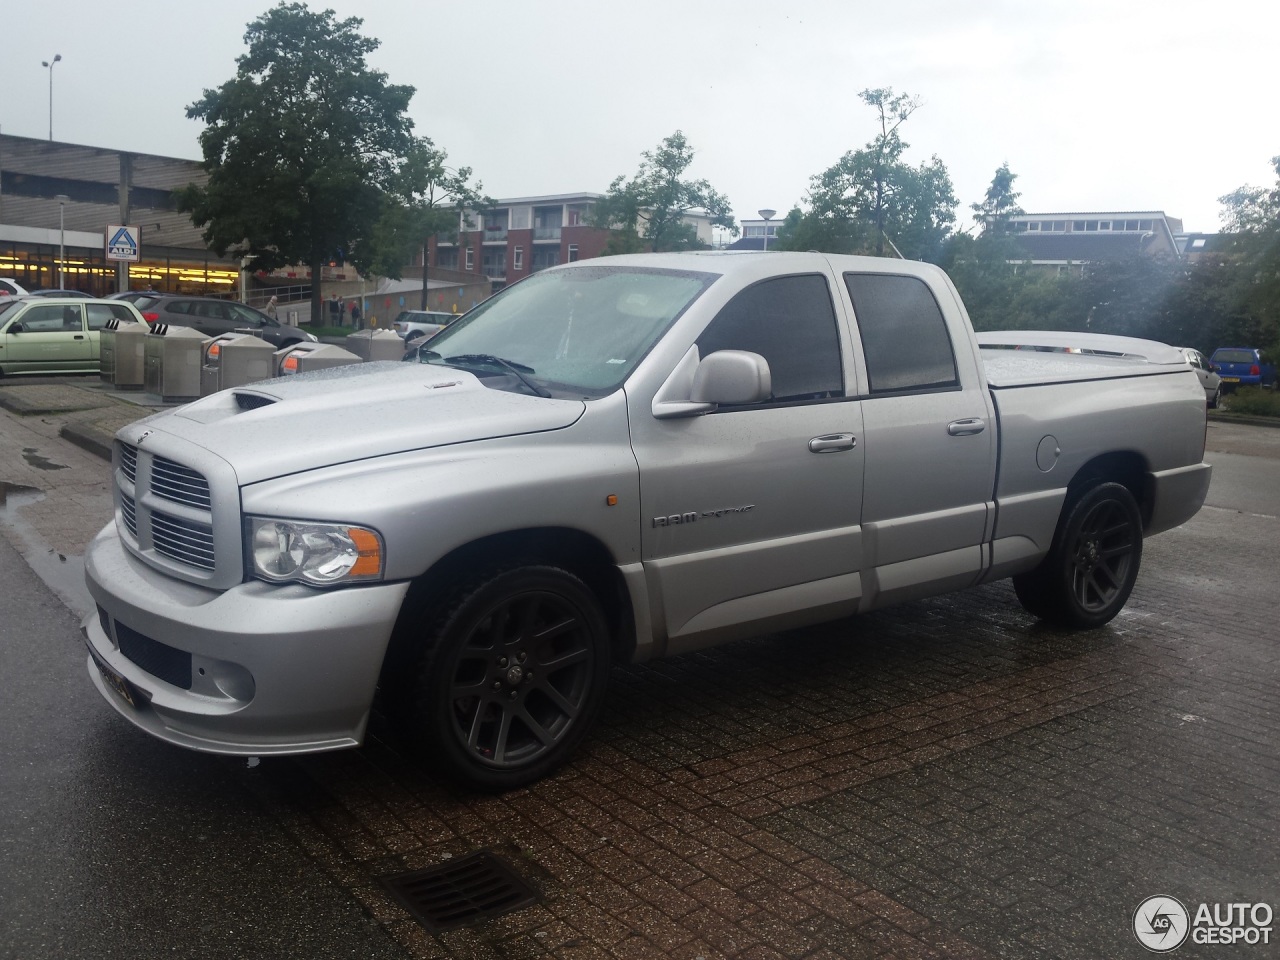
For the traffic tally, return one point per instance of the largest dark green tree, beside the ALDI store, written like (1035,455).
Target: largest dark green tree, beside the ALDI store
(299,147)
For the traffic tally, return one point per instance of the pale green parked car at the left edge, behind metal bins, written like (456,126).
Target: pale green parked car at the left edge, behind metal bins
(56,335)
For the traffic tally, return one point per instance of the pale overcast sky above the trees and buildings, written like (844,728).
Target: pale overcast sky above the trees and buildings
(1096,106)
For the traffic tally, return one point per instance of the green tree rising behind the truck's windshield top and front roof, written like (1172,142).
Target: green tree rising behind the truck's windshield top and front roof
(657,199)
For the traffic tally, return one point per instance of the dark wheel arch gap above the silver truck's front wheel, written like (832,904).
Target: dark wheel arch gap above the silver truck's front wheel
(574,551)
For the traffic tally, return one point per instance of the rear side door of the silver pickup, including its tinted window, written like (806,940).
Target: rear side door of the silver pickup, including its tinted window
(930,445)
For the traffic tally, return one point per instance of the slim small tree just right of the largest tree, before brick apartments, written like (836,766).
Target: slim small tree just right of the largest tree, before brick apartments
(426,199)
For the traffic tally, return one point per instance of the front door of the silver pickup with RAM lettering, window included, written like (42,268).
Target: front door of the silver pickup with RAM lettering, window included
(751,514)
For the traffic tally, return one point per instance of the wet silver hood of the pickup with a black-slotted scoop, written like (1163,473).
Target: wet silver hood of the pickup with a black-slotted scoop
(346,414)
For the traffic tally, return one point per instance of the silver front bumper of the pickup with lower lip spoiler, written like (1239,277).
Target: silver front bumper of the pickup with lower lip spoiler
(257,670)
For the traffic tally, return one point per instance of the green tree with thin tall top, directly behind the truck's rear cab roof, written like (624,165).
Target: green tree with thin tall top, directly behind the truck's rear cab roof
(872,202)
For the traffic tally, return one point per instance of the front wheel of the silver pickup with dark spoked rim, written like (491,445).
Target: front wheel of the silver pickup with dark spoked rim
(513,676)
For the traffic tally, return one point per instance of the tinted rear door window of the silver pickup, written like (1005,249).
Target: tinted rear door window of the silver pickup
(904,336)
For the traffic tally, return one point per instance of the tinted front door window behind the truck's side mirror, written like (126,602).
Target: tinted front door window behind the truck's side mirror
(792,323)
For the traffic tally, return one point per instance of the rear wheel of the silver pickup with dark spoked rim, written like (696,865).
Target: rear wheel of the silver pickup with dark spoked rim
(1092,566)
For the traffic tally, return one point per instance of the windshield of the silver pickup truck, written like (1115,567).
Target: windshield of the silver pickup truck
(578,332)
